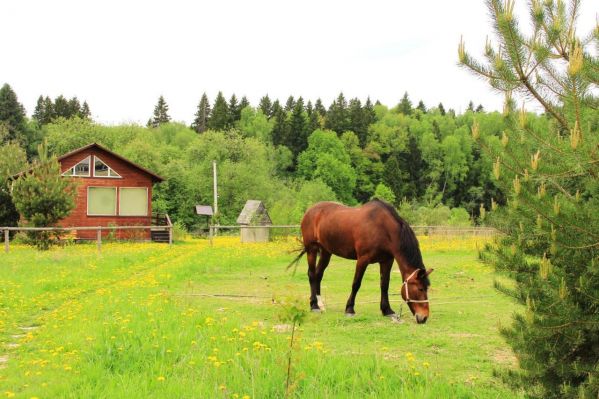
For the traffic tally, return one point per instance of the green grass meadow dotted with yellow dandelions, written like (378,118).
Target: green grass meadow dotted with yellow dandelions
(194,321)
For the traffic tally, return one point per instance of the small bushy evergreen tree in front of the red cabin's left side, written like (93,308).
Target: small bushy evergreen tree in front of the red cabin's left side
(43,197)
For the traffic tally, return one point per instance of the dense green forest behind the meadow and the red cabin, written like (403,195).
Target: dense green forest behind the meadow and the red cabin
(289,155)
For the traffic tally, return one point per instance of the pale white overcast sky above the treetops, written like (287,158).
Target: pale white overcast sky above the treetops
(120,55)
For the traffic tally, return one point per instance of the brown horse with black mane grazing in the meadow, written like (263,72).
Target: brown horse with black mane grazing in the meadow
(369,234)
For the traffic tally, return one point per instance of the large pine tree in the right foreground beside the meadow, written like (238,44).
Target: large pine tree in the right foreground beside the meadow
(549,170)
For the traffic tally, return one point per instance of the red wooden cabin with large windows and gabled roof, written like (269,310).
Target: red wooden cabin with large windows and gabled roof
(111,191)
